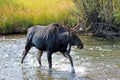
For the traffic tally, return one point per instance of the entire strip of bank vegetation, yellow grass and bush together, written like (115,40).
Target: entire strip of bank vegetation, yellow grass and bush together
(100,17)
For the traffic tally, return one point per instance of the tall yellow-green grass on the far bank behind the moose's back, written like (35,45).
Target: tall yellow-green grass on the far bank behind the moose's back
(17,15)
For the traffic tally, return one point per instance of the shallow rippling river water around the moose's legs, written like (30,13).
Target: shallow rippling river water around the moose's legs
(99,60)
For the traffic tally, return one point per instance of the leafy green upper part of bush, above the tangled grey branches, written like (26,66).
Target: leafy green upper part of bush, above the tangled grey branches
(107,11)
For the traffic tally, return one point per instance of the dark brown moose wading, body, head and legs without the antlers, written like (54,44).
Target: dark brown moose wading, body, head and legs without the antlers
(52,38)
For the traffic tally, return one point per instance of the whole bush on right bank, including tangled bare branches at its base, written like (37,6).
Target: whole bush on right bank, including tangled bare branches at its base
(102,17)
